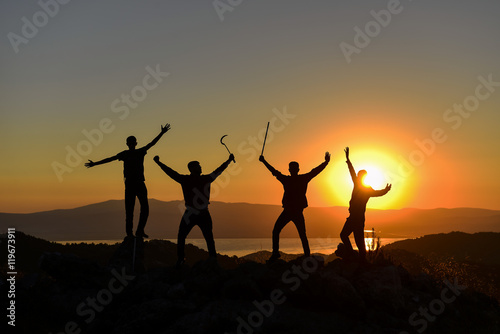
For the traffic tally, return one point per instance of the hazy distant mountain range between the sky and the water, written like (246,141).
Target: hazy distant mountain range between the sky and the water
(106,221)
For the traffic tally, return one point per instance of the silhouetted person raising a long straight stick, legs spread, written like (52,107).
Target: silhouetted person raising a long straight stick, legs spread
(294,201)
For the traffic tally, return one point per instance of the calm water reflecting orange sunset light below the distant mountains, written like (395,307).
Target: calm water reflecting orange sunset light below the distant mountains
(242,247)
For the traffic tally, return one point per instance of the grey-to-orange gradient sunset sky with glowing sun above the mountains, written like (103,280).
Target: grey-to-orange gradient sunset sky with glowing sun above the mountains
(231,77)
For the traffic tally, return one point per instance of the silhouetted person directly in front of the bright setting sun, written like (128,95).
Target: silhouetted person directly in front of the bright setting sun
(355,223)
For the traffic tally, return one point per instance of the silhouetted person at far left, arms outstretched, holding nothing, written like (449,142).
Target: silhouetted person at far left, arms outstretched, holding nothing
(133,171)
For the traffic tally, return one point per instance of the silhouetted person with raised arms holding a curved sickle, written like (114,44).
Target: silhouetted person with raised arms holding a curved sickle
(196,191)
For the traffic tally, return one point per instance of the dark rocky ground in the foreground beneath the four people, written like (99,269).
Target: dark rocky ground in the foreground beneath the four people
(72,294)
